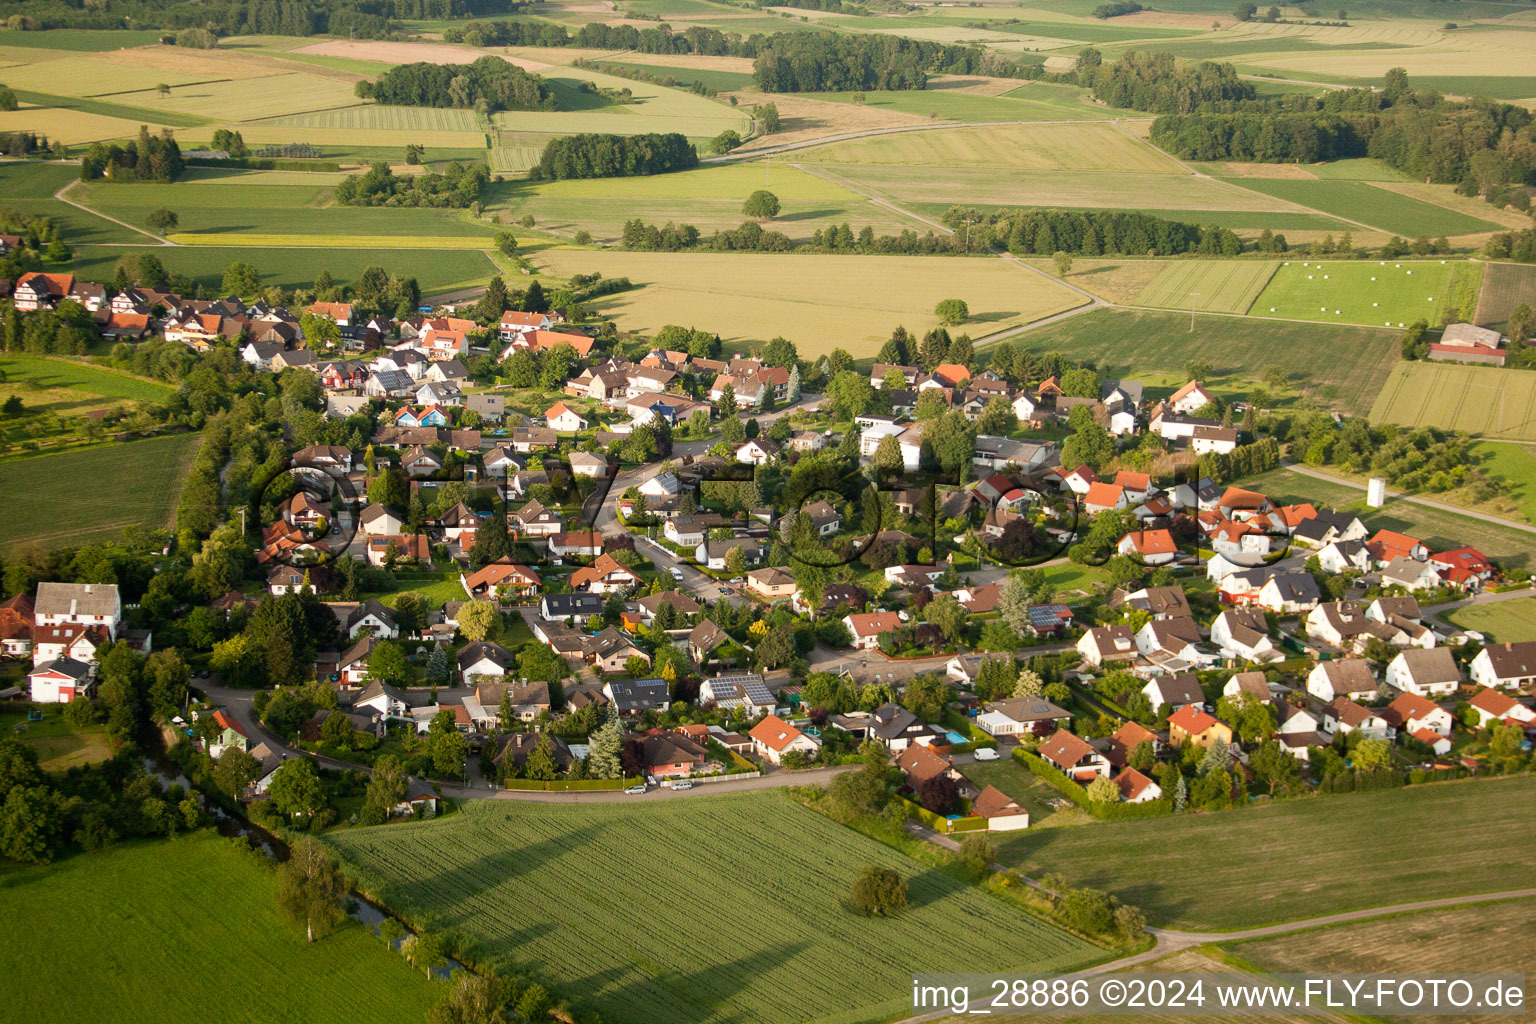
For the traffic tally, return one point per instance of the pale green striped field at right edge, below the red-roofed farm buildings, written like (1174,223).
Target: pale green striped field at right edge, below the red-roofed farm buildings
(1485,401)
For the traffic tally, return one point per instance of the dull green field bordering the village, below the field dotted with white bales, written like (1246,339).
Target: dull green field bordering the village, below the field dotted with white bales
(1340,368)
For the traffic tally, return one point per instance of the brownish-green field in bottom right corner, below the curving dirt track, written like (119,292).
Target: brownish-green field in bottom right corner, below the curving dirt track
(1486,937)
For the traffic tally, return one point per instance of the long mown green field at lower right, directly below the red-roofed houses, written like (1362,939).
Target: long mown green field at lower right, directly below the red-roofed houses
(1217,871)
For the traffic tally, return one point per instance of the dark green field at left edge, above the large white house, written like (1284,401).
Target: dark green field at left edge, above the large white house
(90,495)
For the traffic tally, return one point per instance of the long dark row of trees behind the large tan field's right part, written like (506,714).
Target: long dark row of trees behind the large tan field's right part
(1088,233)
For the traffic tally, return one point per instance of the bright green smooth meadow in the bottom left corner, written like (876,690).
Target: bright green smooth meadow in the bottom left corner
(141,905)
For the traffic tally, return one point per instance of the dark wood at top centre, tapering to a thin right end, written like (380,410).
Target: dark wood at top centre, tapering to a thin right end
(836,62)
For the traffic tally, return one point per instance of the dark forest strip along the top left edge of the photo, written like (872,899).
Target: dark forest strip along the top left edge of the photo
(362,19)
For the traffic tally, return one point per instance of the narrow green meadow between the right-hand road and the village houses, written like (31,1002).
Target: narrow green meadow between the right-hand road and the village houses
(1440,530)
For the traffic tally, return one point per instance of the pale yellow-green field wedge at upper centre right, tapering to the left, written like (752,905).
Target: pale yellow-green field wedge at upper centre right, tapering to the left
(1022,147)
